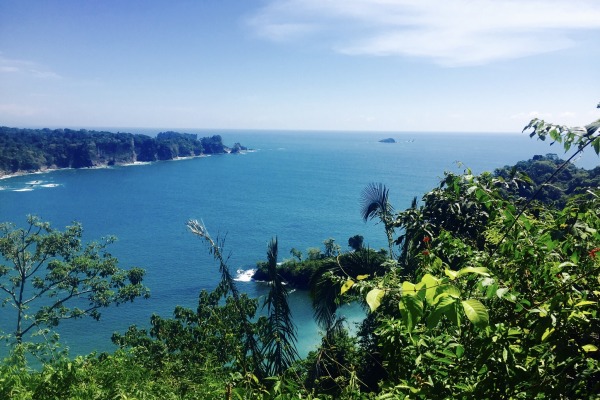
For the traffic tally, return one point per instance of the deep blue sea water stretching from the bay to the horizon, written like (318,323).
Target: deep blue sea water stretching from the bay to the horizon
(302,187)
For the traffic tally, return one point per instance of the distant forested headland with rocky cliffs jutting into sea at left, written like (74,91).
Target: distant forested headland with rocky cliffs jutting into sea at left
(30,150)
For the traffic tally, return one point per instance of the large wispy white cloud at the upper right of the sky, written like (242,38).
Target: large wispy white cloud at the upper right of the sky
(451,33)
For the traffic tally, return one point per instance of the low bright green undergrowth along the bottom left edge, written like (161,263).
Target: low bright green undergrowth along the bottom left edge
(115,376)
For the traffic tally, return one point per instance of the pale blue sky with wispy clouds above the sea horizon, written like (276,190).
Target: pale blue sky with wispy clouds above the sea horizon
(346,65)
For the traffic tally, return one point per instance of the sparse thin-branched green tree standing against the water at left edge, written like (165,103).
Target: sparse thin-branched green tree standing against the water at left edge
(48,276)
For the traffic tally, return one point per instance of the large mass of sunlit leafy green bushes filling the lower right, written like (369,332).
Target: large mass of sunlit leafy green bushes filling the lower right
(489,300)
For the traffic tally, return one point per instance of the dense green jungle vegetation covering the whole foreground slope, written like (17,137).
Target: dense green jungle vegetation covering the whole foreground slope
(489,290)
